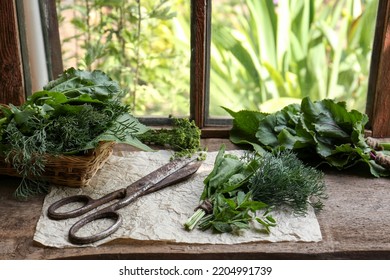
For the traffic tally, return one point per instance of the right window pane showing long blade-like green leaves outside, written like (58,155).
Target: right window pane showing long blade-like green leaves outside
(267,54)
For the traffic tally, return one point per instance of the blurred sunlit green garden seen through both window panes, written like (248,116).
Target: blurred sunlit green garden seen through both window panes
(265,54)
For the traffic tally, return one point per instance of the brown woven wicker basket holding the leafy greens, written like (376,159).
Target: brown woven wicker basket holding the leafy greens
(69,171)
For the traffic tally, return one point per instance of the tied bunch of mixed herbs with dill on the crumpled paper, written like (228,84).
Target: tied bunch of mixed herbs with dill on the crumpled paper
(240,190)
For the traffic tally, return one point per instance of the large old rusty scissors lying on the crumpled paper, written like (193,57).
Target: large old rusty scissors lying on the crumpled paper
(167,175)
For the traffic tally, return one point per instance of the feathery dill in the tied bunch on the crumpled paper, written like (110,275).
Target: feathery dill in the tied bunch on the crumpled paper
(282,179)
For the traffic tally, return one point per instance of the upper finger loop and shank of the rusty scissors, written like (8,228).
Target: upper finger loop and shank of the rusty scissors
(89,204)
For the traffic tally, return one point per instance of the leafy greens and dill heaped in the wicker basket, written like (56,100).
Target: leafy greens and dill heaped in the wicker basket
(70,116)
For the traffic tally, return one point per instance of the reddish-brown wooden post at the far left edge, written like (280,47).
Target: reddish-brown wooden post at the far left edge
(11,69)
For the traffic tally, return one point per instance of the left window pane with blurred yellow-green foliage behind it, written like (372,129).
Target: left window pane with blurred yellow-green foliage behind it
(144,45)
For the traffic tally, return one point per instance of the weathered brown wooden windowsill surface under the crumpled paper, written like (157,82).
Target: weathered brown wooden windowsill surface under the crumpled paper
(354,224)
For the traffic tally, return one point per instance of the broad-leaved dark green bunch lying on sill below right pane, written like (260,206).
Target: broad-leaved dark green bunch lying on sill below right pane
(318,132)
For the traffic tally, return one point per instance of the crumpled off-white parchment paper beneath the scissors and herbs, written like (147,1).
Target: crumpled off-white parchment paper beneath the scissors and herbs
(160,216)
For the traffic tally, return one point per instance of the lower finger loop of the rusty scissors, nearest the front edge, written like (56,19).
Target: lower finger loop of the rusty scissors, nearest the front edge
(105,213)
